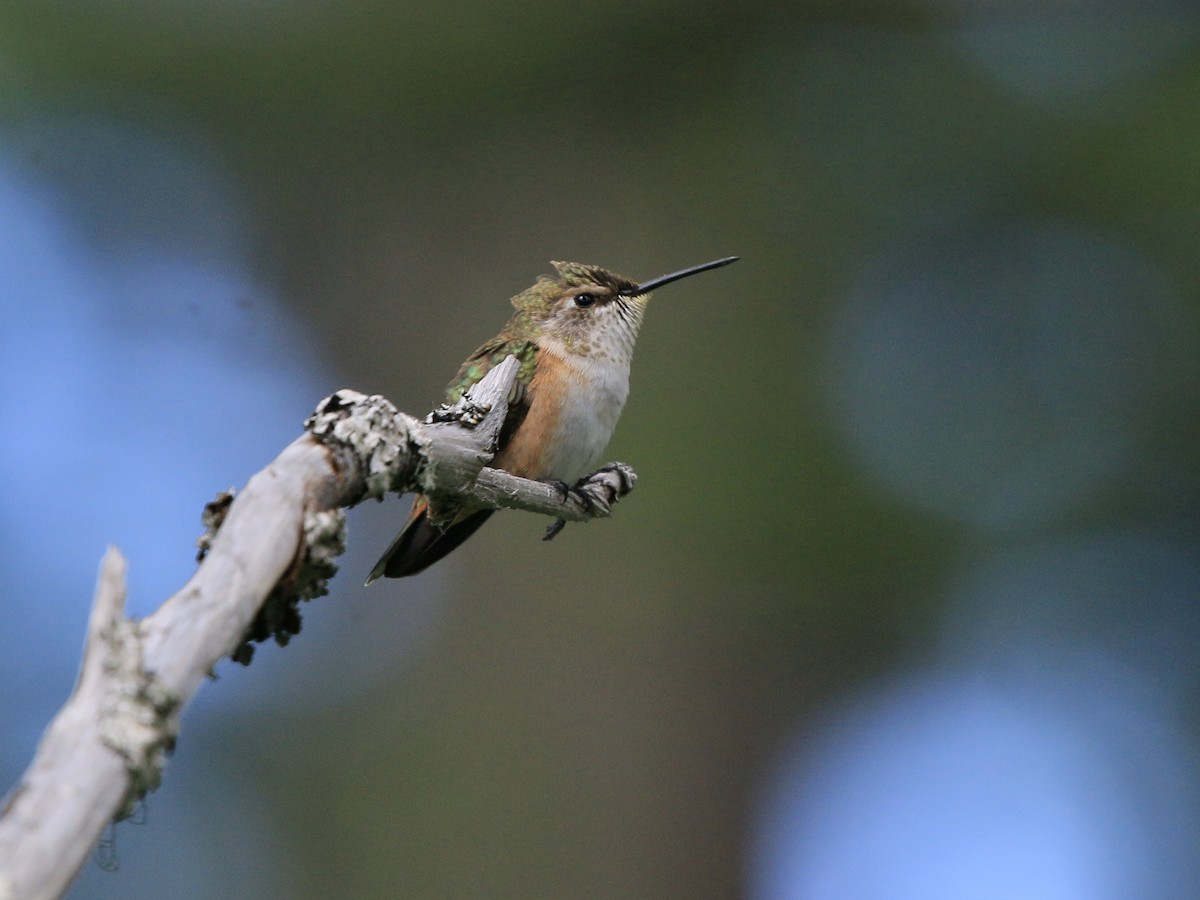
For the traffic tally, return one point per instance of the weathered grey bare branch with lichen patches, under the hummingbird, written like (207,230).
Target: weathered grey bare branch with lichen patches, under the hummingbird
(273,547)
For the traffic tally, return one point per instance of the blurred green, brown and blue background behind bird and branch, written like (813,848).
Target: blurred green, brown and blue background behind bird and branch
(905,604)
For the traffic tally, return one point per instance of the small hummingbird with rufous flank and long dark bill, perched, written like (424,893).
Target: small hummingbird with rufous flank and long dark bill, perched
(573,335)
